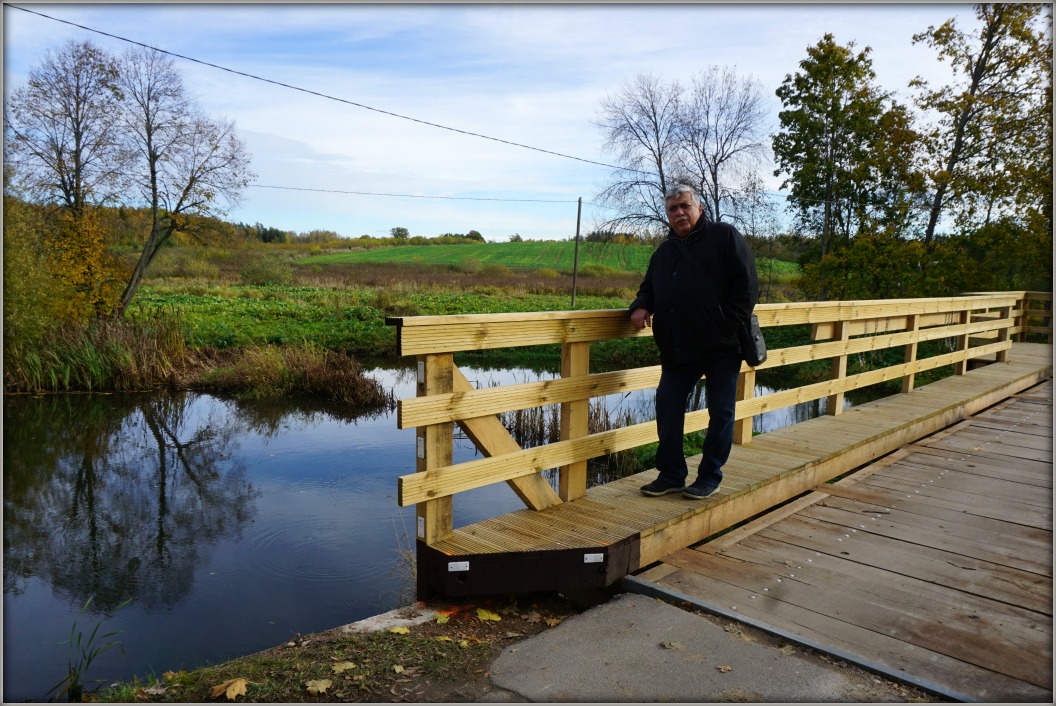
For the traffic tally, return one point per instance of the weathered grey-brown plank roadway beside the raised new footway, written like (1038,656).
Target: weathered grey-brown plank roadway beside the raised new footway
(934,564)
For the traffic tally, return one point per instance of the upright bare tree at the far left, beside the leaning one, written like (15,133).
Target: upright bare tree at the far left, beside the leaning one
(61,132)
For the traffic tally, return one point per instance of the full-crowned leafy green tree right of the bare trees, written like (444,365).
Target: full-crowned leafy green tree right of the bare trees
(847,152)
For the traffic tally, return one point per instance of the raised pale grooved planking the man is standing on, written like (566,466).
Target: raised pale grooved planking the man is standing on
(775,457)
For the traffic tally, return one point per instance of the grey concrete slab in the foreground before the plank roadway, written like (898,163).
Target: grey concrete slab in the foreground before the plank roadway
(635,648)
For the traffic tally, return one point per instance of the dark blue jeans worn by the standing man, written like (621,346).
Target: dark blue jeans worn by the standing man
(721,387)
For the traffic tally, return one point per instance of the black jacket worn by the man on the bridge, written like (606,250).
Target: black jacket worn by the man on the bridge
(699,292)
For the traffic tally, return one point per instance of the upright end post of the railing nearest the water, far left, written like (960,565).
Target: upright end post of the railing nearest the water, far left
(435,448)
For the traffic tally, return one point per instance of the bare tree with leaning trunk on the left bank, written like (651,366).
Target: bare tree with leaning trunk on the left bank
(183,162)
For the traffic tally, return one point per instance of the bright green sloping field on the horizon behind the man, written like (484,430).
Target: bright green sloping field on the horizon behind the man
(531,255)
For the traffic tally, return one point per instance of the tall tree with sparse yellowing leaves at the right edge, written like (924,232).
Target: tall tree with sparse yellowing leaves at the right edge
(992,146)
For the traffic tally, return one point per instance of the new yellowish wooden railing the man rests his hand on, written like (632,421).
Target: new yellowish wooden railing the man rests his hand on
(978,327)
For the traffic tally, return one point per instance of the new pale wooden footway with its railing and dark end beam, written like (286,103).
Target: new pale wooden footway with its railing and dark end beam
(570,537)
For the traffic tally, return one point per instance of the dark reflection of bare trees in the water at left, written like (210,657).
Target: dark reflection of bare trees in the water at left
(120,505)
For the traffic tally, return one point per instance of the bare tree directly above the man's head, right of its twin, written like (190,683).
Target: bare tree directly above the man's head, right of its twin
(722,139)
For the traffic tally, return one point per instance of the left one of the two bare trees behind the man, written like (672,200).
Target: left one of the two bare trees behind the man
(640,125)
